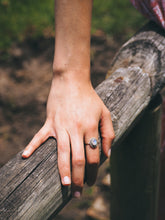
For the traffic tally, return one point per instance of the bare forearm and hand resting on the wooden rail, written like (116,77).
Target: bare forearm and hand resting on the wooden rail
(74,110)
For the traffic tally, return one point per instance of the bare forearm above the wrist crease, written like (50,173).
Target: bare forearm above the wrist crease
(72,38)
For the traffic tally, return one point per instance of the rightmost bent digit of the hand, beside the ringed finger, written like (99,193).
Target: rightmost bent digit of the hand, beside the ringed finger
(107,132)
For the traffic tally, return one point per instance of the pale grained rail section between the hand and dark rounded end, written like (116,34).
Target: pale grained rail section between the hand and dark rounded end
(126,93)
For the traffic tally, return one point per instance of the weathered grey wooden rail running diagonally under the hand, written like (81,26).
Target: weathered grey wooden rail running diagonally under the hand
(31,189)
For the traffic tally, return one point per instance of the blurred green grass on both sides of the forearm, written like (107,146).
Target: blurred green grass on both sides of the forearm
(21,19)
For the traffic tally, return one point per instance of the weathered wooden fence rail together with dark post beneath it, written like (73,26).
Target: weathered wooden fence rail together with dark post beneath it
(31,189)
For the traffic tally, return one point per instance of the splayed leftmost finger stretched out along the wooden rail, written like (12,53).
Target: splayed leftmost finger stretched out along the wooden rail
(42,135)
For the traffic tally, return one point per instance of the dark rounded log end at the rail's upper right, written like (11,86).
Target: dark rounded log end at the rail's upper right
(146,51)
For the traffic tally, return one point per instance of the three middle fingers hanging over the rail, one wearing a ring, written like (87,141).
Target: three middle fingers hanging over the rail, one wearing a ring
(78,160)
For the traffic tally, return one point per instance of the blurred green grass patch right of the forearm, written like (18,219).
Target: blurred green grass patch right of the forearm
(116,17)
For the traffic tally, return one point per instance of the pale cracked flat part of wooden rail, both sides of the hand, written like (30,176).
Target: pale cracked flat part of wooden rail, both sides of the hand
(32,189)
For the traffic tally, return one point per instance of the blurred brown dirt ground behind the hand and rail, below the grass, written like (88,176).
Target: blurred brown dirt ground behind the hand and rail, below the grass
(25,79)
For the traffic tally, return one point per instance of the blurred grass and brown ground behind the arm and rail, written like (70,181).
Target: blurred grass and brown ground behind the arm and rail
(26,55)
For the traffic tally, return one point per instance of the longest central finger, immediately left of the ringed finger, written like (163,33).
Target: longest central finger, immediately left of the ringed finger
(78,164)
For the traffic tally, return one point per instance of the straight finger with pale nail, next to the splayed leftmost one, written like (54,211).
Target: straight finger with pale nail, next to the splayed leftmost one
(63,144)
